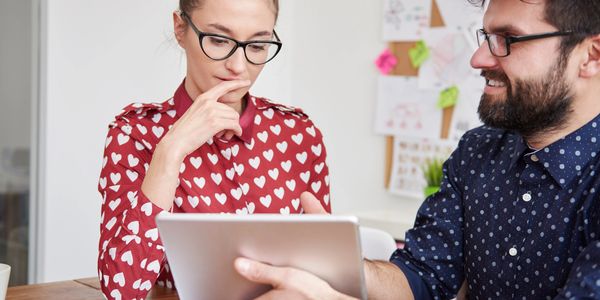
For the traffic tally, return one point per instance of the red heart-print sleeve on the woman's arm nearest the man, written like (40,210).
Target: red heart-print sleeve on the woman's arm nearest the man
(319,180)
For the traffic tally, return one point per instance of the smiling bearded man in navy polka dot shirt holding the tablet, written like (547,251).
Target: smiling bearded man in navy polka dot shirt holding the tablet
(518,213)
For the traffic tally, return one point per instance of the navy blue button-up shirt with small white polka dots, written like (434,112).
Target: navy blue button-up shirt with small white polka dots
(514,222)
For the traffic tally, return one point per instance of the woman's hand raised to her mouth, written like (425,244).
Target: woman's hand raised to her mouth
(205,118)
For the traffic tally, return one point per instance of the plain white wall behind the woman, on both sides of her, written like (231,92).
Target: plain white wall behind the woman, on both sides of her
(101,55)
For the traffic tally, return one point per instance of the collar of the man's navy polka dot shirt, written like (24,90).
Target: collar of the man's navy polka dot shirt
(566,158)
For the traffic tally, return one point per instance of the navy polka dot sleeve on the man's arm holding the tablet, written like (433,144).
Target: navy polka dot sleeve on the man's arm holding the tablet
(433,249)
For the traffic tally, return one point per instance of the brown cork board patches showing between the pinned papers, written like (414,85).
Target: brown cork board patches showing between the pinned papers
(404,68)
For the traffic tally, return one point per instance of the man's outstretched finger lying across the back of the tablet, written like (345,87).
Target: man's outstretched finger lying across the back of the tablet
(258,272)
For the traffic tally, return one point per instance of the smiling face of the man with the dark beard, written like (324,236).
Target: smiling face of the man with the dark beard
(527,91)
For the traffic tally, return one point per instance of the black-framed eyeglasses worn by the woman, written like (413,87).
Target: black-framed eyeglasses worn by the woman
(220,47)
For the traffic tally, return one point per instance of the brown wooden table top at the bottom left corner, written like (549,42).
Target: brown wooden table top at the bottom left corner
(85,288)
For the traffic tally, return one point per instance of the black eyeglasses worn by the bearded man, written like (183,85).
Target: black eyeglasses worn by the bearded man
(500,44)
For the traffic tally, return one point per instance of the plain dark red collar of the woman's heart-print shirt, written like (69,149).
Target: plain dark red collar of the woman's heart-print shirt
(183,101)
